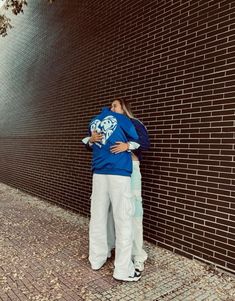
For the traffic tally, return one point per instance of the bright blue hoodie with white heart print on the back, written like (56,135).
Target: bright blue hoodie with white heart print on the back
(114,127)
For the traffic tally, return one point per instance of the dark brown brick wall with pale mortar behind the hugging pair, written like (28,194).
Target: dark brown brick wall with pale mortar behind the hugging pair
(175,62)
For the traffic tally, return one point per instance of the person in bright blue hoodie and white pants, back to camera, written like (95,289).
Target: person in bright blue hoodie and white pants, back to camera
(111,184)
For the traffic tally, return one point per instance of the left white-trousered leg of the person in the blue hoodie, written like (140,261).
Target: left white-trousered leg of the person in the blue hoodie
(98,248)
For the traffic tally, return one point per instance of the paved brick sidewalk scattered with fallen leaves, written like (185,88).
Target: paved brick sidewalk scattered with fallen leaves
(43,257)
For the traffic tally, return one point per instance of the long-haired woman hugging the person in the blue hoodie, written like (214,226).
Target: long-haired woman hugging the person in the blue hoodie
(139,255)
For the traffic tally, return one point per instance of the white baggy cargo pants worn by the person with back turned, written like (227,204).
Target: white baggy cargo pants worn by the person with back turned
(116,190)
